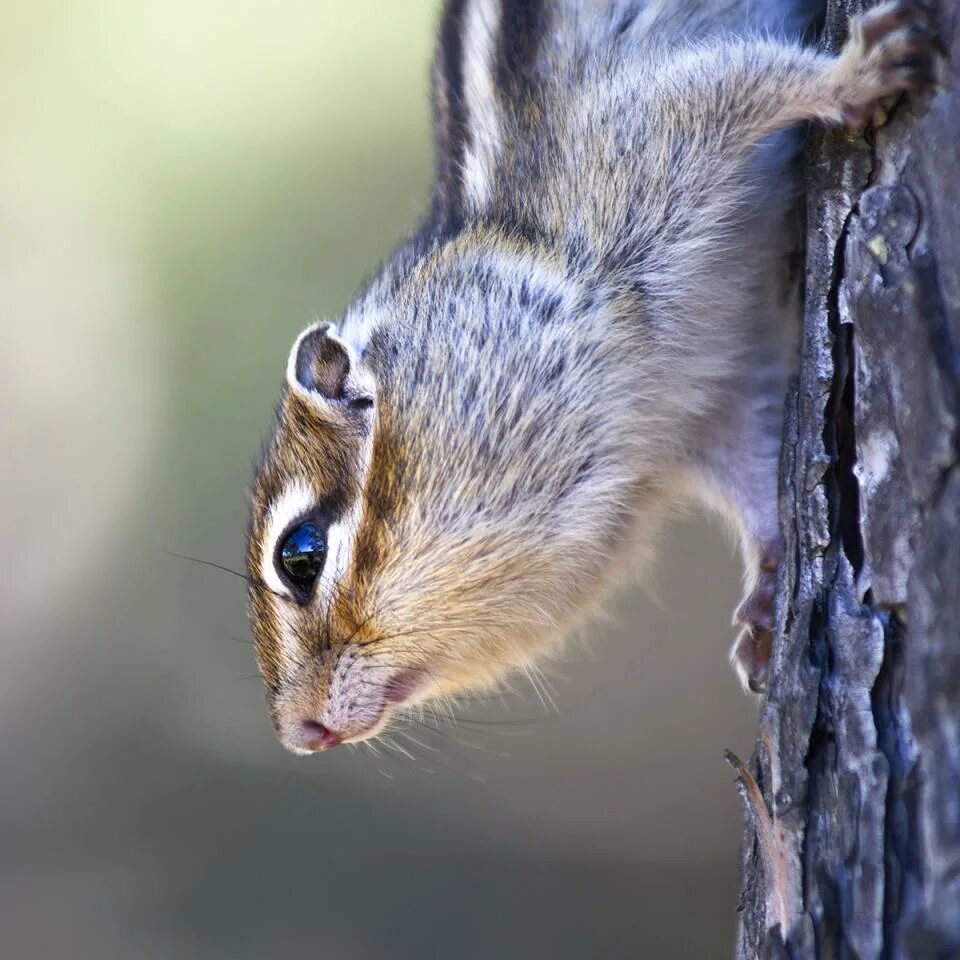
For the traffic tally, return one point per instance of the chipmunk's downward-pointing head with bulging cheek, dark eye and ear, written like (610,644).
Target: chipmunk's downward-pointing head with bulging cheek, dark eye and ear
(431,510)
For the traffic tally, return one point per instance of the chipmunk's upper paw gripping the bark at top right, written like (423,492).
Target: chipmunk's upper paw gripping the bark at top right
(890,49)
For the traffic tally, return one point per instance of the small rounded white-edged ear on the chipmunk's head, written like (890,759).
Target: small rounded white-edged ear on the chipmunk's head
(325,370)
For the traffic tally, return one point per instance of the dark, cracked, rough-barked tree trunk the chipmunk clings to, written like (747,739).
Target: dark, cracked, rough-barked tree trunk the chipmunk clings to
(852,846)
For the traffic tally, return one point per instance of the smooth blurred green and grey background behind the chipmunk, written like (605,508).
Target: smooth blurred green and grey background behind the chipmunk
(183,187)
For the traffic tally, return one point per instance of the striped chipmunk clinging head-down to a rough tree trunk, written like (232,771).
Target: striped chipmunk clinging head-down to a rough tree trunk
(588,328)
